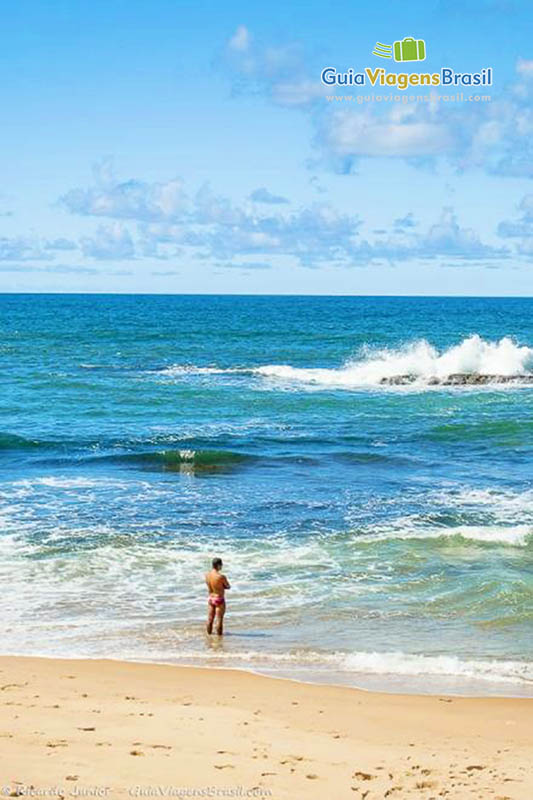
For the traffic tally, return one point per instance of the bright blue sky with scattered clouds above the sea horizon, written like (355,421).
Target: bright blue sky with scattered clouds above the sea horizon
(176,147)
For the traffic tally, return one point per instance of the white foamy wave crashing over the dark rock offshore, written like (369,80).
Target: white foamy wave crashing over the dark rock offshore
(419,361)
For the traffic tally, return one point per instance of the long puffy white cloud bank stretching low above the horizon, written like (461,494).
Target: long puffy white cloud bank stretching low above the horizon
(210,226)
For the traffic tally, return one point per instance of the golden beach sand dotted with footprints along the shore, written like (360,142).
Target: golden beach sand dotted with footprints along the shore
(115,729)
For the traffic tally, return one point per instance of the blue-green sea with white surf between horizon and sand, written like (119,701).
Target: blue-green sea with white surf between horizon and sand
(375,535)
